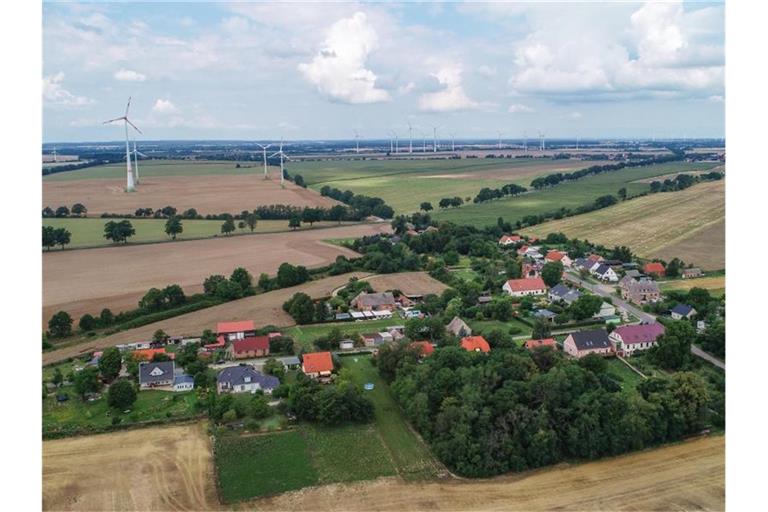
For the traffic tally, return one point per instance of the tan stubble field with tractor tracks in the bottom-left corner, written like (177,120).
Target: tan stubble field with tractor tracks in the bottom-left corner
(168,468)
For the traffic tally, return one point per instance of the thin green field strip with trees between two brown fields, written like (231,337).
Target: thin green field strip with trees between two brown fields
(89,232)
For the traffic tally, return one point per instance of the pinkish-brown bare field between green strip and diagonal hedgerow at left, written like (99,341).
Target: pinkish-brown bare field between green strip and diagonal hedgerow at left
(86,281)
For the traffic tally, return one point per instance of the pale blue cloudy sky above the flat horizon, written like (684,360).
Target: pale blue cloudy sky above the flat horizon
(252,71)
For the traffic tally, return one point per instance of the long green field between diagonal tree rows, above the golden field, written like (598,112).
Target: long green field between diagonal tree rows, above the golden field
(569,195)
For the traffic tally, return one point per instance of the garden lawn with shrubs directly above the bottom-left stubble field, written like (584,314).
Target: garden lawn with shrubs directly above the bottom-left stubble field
(74,414)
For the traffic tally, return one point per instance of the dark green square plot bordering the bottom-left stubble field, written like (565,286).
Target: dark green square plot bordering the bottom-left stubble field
(262,465)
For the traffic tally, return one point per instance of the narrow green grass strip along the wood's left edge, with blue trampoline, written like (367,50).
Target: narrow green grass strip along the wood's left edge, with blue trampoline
(412,458)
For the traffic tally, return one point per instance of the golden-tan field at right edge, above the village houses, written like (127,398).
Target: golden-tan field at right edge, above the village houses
(689,224)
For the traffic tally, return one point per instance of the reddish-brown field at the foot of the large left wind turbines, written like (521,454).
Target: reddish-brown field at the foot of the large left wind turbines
(206,193)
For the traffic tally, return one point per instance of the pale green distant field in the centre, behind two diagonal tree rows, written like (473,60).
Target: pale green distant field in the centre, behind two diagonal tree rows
(404,184)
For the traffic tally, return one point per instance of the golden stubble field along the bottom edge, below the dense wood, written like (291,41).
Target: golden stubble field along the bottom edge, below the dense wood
(686,476)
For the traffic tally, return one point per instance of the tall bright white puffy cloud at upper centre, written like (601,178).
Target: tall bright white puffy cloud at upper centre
(338,69)
